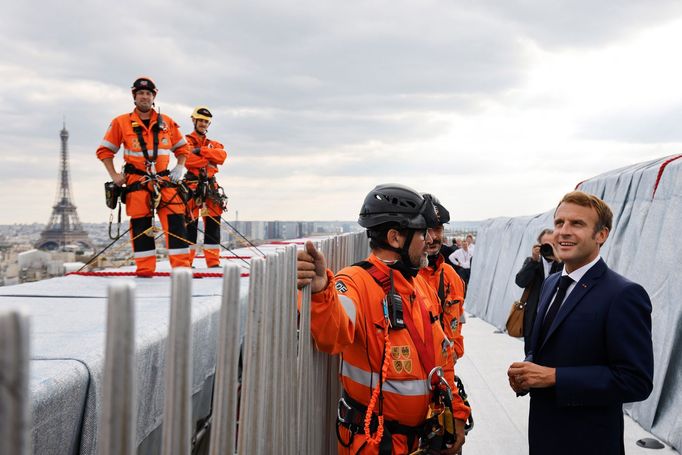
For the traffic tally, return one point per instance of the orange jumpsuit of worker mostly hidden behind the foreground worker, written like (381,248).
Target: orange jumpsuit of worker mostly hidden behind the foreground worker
(452,300)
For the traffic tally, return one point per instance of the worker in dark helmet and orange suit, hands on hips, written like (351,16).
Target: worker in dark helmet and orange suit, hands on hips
(148,139)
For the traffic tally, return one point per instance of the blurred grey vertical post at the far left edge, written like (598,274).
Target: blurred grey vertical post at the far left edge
(14,399)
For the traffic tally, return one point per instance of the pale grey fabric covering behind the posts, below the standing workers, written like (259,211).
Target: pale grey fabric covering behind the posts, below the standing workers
(67,318)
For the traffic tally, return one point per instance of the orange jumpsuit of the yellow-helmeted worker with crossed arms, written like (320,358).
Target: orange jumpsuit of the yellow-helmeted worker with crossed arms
(204,165)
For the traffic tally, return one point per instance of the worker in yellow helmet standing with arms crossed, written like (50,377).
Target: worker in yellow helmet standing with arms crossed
(208,198)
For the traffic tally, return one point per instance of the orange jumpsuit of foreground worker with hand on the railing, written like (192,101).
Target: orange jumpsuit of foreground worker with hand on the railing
(347,317)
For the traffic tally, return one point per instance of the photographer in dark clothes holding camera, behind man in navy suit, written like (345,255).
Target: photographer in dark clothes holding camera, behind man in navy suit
(538,266)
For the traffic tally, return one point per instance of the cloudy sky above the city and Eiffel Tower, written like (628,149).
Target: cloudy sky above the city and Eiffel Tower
(498,107)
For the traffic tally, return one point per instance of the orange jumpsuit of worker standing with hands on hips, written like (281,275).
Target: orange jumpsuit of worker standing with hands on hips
(171,208)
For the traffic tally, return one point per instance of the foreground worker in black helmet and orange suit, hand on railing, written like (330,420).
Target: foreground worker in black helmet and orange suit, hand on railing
(382,317)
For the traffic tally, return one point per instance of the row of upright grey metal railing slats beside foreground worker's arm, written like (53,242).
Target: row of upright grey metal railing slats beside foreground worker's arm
(289,390)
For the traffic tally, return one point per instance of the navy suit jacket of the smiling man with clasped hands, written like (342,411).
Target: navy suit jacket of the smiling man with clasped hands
(600,345)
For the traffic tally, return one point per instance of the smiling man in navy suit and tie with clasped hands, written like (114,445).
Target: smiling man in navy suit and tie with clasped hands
(590,348)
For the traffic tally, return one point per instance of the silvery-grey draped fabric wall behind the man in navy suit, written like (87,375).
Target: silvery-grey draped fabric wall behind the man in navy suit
(644,246)
